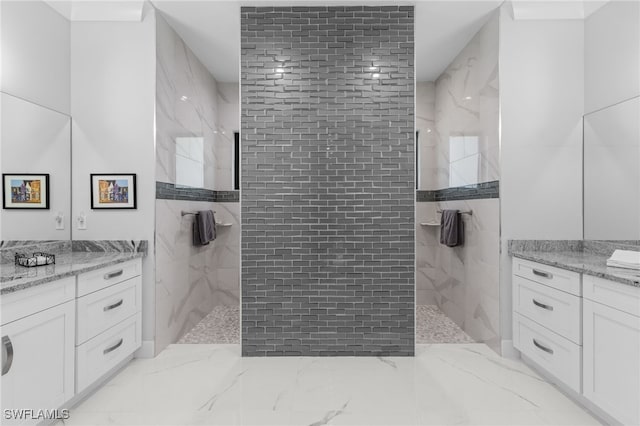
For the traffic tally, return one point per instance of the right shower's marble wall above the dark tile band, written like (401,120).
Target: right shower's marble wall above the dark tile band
(466,113)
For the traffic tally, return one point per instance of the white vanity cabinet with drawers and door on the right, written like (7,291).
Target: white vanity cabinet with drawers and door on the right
(584,331)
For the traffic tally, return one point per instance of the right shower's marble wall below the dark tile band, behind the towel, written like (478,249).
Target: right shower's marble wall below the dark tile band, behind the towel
(462,281)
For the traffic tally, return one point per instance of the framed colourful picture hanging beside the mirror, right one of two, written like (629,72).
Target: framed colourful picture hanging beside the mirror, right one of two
(113,191)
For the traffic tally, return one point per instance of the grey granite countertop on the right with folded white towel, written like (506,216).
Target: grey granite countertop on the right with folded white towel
(581,260)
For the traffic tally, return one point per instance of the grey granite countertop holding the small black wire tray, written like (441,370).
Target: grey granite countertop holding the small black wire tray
(15,278)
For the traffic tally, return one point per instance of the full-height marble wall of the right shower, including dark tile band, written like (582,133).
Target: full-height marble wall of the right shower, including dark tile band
(462,108)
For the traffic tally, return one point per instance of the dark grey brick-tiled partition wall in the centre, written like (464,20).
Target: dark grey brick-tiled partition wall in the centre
(327,181)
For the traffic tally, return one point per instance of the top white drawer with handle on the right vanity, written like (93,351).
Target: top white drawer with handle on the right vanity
(560,279)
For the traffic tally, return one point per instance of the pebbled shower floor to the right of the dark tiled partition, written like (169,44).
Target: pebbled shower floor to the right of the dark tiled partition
(433,326)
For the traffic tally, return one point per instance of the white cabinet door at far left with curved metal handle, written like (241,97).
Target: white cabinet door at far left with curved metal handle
(38,360)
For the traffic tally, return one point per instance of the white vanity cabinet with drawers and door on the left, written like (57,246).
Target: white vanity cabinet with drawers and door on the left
(62,337)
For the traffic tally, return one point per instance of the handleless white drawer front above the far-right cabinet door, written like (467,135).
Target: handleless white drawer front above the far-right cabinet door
(620,296)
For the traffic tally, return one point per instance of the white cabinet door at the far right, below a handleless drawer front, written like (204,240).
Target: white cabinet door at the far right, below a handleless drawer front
(611,380)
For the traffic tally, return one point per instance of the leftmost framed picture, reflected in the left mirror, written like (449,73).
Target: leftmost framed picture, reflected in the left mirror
(25,191)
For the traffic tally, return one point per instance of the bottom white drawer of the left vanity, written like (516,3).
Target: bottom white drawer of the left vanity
(97,356)
